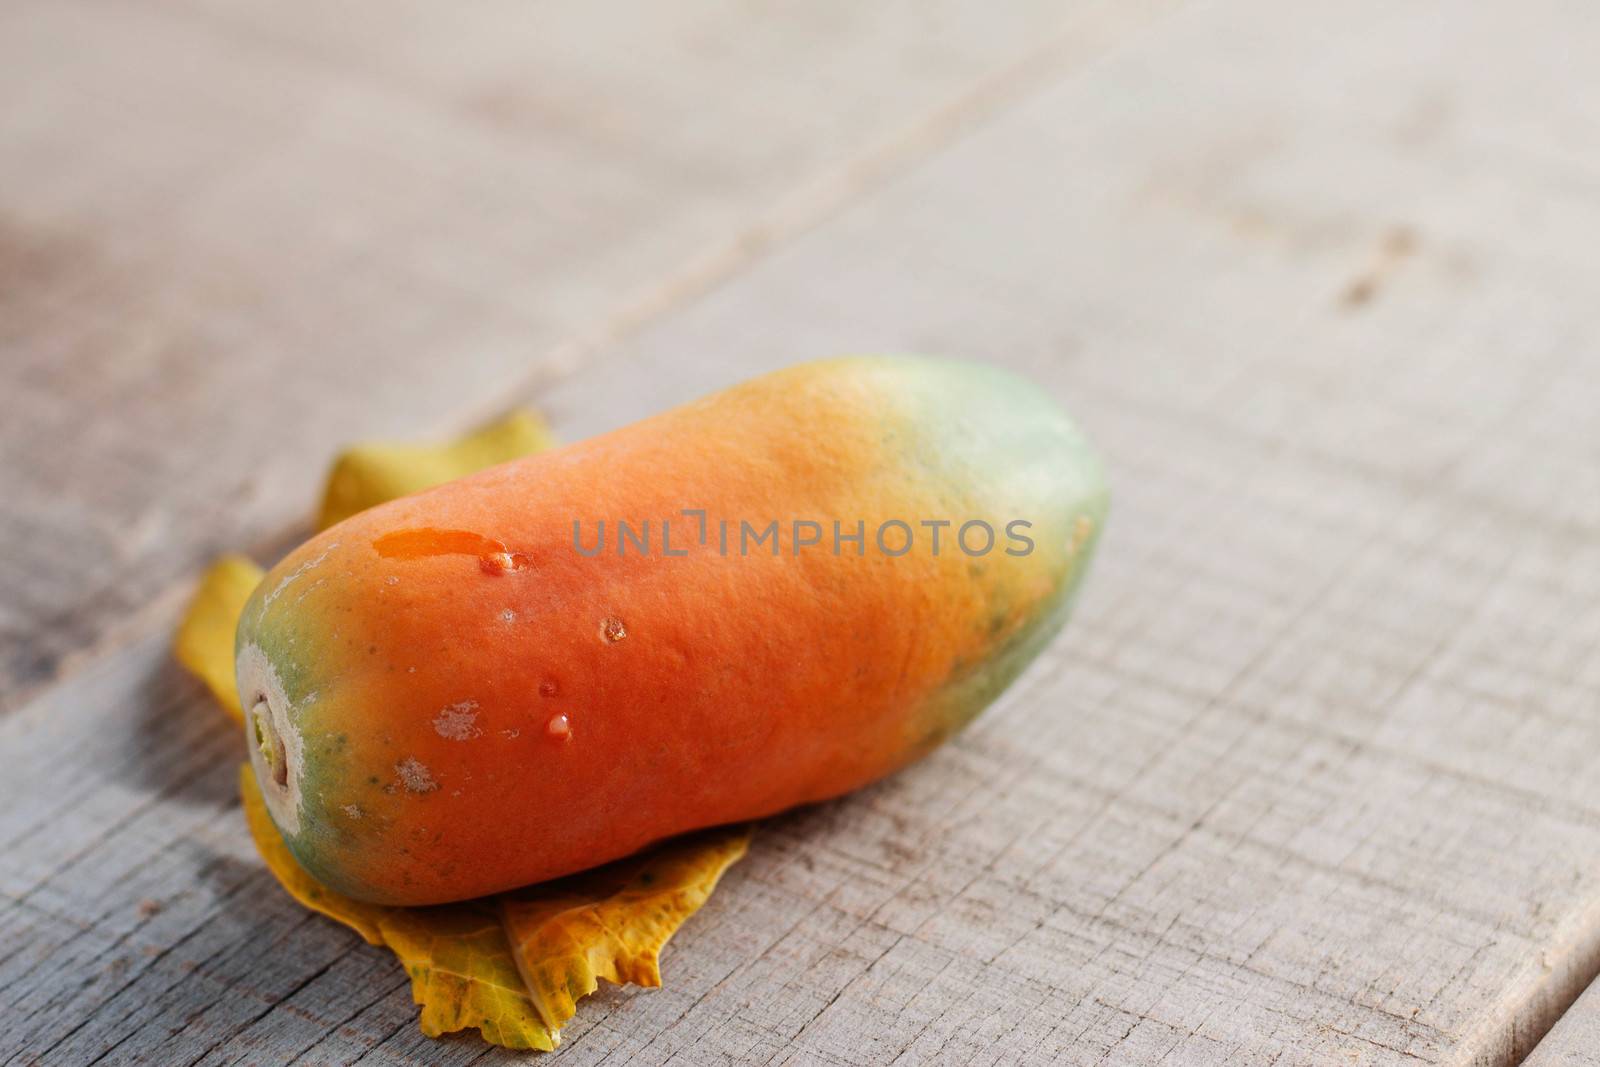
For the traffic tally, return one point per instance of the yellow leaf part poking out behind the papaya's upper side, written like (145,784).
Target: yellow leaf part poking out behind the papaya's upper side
(372,474)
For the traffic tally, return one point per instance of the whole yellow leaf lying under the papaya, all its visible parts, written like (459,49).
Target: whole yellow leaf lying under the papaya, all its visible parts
(513,965)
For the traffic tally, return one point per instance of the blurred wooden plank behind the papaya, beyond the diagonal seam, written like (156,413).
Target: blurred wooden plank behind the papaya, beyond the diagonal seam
(238,236)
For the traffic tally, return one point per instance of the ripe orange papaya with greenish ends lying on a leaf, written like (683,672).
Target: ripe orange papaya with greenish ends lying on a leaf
(762,599)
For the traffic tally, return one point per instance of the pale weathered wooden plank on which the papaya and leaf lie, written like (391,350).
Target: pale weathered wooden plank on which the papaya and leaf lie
(1311,778)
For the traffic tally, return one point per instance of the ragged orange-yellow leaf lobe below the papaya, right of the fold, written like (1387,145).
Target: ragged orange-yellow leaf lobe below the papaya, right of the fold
(612,922)
